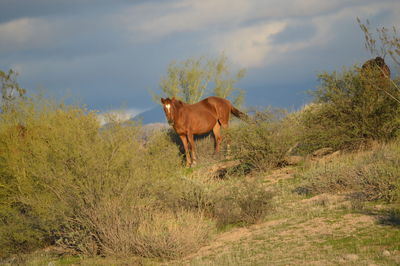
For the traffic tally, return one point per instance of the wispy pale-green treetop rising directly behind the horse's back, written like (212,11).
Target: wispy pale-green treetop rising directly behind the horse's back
(192,79)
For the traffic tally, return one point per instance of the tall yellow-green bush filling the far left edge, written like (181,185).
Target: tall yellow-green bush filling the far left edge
(37,148)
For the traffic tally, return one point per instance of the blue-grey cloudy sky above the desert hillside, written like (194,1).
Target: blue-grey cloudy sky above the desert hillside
(109,54)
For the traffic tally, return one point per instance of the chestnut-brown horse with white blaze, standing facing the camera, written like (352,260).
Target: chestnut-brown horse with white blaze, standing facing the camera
(199,118)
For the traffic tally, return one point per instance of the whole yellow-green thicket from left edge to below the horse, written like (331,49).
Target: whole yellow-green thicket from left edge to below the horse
(103,191)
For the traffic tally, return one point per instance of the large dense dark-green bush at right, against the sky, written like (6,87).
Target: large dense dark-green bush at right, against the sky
(349,110)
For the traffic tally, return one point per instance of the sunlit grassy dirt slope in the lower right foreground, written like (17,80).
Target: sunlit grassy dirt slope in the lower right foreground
(322,230)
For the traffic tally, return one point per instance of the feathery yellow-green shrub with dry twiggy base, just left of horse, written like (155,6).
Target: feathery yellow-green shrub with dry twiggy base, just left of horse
(130,197)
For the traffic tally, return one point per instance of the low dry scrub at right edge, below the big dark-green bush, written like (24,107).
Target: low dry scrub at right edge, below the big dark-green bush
(372,175)
